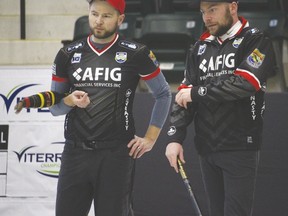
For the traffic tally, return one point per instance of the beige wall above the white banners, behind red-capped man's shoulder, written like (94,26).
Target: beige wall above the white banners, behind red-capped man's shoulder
(47,23)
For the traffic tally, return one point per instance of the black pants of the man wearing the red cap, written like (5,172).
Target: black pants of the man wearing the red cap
(103,175)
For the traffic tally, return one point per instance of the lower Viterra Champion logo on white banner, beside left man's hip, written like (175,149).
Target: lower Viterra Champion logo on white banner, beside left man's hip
(45,163)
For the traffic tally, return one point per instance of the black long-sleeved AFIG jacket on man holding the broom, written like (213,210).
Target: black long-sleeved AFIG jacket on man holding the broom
(228,83)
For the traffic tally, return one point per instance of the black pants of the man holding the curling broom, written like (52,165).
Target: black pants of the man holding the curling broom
(229,180)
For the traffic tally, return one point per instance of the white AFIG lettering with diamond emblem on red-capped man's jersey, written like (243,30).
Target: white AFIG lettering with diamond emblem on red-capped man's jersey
(105,74)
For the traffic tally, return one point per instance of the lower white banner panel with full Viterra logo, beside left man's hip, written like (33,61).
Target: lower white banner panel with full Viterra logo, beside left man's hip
(34,158)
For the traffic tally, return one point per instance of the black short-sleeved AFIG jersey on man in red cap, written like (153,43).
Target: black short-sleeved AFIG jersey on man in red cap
(110,77)
